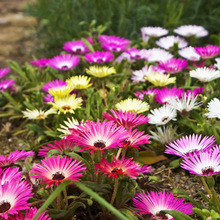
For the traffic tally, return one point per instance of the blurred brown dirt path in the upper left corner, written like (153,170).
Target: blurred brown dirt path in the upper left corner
(16,41)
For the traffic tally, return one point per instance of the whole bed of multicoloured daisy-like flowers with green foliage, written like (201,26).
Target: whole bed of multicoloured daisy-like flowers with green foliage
(99,115)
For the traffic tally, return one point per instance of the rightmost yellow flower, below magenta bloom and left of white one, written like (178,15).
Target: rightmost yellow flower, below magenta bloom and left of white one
(159,79)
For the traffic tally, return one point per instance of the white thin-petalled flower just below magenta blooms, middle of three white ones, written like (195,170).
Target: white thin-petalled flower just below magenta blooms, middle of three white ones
(185,103)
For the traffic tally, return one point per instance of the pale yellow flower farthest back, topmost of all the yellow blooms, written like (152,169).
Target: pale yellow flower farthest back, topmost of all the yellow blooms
(100,71)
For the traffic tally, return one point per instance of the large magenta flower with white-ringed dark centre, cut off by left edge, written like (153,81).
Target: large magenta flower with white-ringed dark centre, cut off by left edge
(13,198)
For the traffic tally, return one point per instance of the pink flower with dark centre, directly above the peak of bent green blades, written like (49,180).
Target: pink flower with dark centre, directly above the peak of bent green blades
(57,170)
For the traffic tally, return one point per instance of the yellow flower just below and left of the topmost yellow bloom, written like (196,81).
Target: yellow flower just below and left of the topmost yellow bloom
(79,82)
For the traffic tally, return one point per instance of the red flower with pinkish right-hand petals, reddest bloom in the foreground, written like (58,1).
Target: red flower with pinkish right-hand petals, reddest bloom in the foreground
(121,167)
